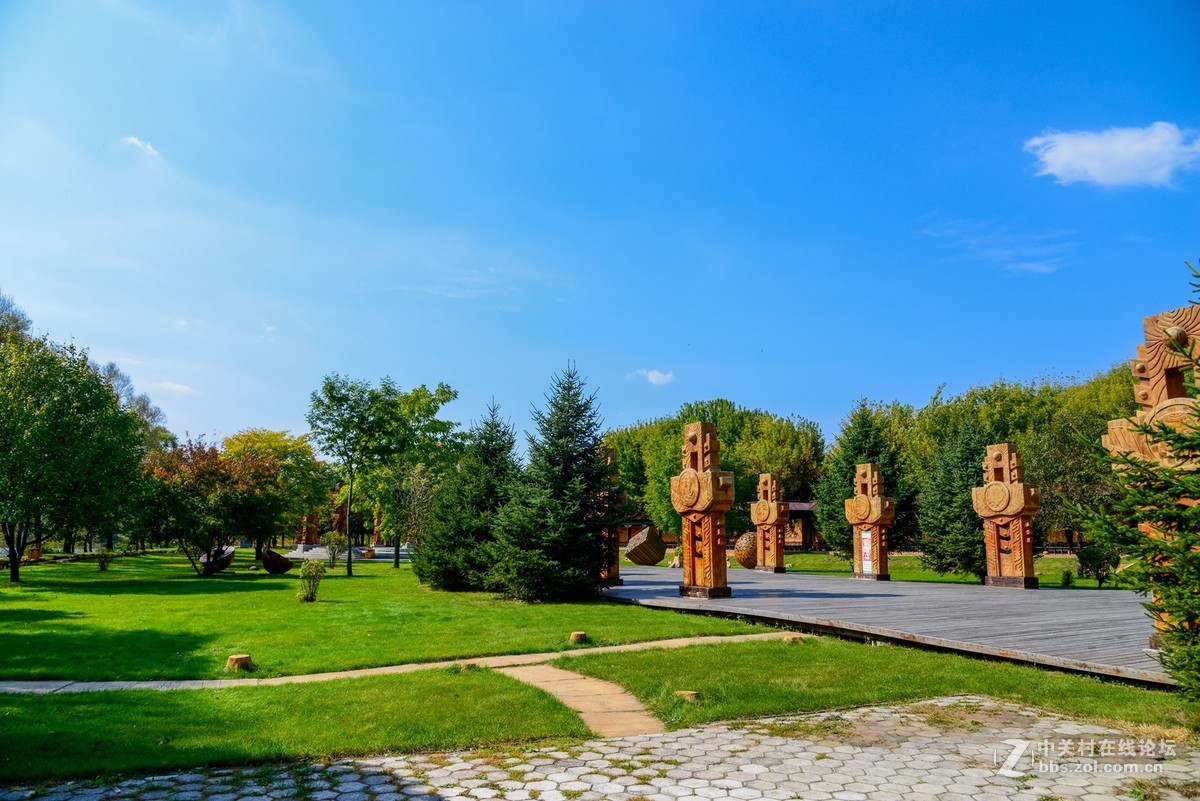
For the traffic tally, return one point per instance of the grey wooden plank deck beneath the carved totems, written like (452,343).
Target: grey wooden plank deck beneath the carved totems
(1096,633)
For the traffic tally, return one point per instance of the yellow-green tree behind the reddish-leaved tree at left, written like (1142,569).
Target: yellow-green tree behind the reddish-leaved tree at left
(305,483)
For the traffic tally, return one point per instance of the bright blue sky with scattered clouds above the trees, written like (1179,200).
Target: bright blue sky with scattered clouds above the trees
(788,204)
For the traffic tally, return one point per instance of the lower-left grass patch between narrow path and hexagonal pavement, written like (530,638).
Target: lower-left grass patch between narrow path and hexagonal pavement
(46,738)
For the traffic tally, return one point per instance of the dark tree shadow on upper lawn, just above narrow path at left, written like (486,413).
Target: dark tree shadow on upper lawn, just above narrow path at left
(83,654)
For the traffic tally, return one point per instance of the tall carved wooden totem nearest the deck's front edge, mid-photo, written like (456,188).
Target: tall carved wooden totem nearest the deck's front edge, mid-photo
(703,496)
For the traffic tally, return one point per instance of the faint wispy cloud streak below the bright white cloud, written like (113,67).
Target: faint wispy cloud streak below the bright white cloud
(989,243)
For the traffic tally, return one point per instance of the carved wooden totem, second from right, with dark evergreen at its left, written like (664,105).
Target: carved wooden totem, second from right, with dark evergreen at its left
(1007,507)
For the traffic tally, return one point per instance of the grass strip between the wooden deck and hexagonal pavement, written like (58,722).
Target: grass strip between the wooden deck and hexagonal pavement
(771,678)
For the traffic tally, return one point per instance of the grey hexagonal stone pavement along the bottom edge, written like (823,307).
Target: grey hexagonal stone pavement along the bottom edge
(952,749)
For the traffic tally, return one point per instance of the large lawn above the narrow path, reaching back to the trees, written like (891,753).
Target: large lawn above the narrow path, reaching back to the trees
(153,618)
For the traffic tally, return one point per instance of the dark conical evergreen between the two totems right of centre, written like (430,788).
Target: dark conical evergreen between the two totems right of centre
(952,533)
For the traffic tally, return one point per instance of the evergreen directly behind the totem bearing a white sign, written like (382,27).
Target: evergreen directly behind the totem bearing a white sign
(862,439)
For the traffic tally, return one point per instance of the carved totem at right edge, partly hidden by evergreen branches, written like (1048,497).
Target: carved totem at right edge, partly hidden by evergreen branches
(1162,398)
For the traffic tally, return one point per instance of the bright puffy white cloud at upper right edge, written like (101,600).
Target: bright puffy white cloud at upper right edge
(1145,156)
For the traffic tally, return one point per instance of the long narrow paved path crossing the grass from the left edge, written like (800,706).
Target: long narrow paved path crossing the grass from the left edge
(44,688)
